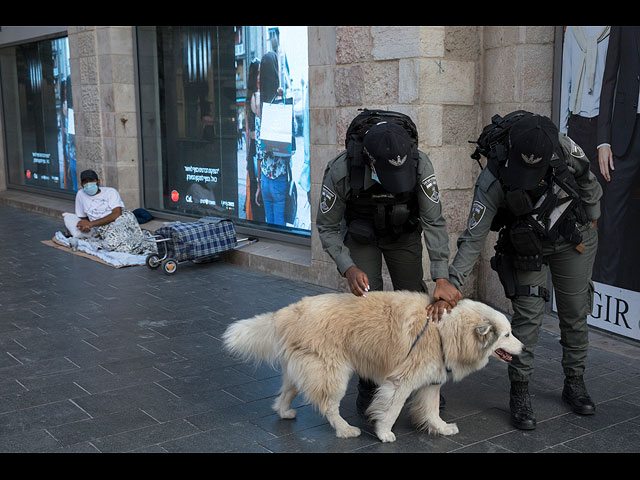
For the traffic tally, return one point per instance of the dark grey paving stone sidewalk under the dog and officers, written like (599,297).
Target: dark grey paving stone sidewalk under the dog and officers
(98,359)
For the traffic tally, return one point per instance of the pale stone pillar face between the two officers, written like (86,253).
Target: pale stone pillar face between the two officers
(449,83)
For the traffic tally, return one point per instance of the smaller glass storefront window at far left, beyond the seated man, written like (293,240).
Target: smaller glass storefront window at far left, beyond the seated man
(38,115)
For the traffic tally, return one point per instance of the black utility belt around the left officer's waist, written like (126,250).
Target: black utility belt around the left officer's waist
(386,221)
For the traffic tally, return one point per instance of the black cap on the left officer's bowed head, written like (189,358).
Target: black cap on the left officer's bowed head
(391,151)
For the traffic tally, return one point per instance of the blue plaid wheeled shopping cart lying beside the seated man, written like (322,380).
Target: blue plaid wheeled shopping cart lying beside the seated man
(199,242)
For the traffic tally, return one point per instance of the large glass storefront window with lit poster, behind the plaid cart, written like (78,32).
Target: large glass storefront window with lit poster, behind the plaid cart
(224,123)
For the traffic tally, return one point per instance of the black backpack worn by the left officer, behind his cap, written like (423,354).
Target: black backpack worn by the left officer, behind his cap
(355,134)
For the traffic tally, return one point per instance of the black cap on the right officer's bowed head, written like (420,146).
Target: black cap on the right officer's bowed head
(532,142)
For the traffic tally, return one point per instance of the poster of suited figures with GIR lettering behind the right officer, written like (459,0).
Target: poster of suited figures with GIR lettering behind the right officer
(598,74)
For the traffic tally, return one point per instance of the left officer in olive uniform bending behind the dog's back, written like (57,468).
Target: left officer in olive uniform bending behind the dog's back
(398,200)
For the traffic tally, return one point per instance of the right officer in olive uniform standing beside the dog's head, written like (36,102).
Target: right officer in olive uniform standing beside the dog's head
(557,235)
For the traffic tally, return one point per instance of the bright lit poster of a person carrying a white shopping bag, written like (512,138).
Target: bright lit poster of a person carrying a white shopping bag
(270,172)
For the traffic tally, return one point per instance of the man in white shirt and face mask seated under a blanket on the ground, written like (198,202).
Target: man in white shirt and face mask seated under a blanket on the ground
(101,216)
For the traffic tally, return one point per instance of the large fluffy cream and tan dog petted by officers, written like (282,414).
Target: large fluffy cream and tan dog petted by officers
(386,337)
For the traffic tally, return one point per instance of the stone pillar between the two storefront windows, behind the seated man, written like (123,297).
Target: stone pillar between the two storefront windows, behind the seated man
(103,87)
